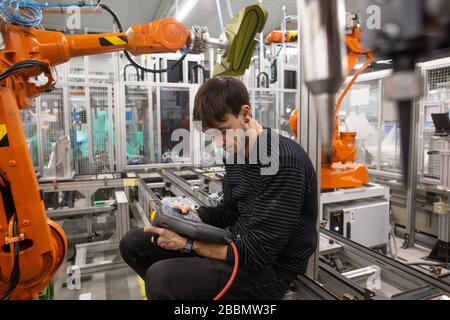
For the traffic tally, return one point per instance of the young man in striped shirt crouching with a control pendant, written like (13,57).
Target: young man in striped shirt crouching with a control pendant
(272,214)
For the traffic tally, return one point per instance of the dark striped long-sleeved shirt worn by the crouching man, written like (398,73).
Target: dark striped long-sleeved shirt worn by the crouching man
(272,217)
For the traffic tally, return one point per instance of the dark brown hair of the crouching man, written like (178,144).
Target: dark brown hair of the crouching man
(218,97)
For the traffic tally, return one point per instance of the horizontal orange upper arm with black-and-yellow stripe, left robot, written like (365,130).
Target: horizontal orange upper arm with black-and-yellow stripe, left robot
(165,35)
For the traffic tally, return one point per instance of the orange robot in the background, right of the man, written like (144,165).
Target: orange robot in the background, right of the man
(343,172)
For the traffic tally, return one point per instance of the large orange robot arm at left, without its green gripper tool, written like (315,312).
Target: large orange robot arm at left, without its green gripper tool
(24,226)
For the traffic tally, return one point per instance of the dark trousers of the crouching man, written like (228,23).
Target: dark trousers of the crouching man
(175,275)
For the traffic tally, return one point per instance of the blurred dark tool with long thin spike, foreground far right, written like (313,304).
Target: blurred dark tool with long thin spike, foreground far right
(407,32)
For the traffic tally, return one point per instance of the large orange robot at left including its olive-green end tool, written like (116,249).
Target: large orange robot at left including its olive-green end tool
(31,246)
